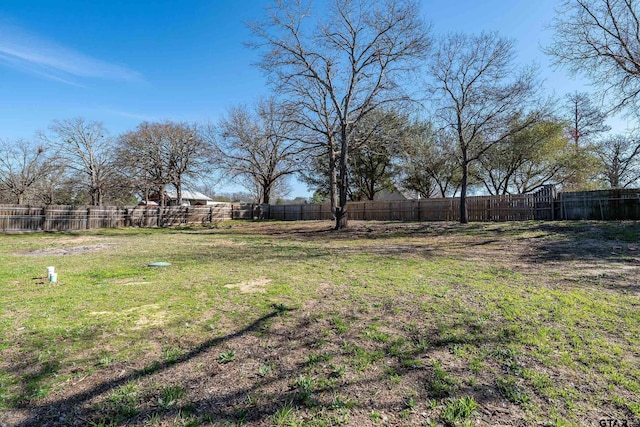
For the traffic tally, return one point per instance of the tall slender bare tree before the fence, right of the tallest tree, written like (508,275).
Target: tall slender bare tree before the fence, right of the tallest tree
(478,95)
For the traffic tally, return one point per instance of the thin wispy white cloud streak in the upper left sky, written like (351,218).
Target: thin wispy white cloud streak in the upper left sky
(29,52)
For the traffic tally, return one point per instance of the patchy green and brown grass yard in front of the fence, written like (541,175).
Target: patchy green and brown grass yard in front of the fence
(293,324)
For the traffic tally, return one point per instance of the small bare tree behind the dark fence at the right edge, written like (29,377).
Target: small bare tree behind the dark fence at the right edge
(620,157)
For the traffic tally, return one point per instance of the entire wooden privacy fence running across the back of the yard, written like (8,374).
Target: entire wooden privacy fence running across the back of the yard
(545,204)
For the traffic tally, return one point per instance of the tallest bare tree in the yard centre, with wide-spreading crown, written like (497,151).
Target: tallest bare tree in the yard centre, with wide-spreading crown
(349,62)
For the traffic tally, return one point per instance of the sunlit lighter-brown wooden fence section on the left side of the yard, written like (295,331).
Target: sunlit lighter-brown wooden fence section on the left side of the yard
(15,218)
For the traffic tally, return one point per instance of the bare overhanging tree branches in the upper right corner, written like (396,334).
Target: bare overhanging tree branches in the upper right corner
(600,39)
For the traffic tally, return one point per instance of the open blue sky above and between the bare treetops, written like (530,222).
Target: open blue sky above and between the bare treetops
(123,62)
